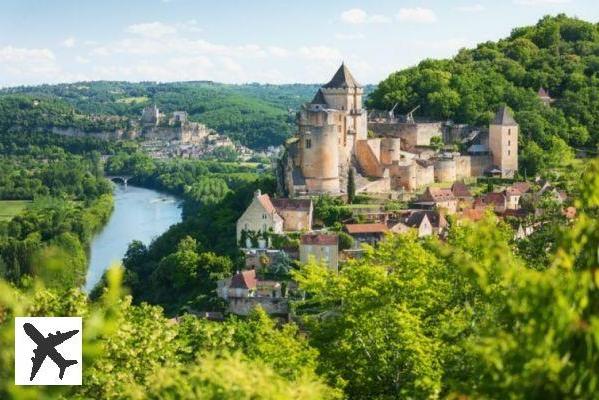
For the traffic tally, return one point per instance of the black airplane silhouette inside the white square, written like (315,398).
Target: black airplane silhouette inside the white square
(46,347)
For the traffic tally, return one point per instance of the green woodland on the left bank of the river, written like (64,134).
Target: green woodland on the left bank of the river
(67,200)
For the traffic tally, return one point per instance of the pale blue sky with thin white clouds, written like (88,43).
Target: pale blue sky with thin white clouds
(234,41)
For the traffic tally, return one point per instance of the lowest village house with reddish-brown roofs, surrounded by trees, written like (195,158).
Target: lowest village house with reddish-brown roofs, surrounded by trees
(244,291)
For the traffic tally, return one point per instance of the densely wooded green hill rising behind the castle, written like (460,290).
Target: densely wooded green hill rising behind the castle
(560,54)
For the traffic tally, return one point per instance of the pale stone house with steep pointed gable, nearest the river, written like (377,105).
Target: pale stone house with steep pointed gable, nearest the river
(260,216)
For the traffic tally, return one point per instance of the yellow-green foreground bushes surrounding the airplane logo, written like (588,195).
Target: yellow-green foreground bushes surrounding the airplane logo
(134,352)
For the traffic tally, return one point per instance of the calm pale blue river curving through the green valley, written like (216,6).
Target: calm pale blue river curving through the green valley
(139,214)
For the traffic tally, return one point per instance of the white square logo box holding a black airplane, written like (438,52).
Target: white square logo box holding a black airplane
(68,353)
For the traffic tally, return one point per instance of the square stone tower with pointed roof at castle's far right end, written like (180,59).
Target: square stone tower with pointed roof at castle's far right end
(503,142)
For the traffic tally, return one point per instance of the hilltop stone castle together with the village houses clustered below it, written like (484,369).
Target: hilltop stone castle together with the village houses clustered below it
(340,147)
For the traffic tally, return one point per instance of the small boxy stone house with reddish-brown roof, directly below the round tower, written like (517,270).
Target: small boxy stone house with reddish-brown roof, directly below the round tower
(322,248)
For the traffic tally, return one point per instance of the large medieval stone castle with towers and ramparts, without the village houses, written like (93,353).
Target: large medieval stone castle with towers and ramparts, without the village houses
(334,135)
